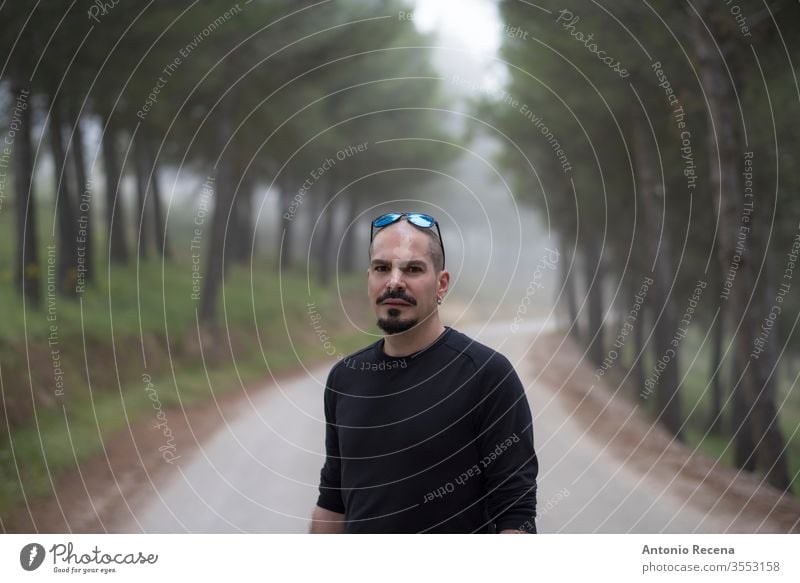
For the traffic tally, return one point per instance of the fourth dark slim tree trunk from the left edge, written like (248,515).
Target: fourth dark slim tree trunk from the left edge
(115,209)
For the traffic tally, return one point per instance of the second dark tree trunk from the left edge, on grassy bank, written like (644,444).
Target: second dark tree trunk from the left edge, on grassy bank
(65,207)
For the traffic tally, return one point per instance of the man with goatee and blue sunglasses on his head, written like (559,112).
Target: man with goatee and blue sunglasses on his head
(426,429)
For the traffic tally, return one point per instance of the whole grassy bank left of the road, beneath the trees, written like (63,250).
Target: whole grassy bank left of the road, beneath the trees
(114,317)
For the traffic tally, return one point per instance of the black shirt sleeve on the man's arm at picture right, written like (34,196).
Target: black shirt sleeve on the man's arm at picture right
(505,442)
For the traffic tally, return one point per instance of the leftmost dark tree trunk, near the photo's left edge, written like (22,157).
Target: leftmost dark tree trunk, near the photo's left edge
(28,267)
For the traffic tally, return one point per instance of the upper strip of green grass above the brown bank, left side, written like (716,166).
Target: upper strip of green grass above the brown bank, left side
(131,297)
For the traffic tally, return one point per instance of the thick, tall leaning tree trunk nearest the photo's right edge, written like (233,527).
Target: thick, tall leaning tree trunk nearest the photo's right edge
(725,153)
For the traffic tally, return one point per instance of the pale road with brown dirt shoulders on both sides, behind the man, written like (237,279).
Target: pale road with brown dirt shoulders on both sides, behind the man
(251,463)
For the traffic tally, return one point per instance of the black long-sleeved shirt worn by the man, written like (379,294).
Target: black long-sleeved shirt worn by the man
(439,441)
